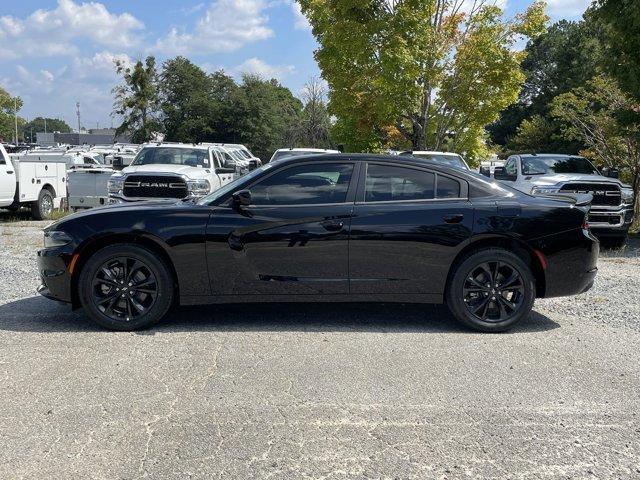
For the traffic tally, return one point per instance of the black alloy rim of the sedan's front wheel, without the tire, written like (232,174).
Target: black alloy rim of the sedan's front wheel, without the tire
(124,289)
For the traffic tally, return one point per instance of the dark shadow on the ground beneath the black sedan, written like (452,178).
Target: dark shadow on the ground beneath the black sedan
(37,314)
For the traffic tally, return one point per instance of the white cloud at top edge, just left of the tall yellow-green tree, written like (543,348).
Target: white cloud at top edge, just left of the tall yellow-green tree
(227,25)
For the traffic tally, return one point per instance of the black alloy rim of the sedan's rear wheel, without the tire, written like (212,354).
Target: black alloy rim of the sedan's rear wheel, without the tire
(493,291)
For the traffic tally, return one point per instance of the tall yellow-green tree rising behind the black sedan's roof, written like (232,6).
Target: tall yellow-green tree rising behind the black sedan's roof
(435,71)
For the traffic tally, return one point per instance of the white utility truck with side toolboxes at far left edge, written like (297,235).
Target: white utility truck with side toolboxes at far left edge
(35,181)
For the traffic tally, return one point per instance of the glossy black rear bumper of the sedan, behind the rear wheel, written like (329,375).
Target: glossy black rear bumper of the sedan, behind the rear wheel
(571,262)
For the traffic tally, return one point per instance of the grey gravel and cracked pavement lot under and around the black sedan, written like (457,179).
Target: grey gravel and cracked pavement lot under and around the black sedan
(319,391)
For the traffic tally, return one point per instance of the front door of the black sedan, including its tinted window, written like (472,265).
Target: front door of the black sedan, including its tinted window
(292,239)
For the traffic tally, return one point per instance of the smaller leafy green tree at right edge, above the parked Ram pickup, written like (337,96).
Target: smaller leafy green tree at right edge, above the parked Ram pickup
(591,113)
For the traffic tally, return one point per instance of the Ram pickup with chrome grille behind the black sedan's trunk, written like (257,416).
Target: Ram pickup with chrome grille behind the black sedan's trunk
(611,210)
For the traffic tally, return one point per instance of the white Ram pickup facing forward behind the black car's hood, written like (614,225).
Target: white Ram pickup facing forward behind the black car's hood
(170,171)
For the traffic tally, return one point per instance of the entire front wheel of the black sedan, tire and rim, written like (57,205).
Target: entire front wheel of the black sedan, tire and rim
(143,278)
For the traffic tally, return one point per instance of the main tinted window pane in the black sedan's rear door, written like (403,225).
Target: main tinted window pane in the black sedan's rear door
(390,183)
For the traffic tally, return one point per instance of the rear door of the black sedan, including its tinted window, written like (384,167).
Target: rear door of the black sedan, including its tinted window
(408,225)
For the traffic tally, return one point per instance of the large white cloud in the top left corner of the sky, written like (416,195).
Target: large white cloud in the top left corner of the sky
(53,32)
